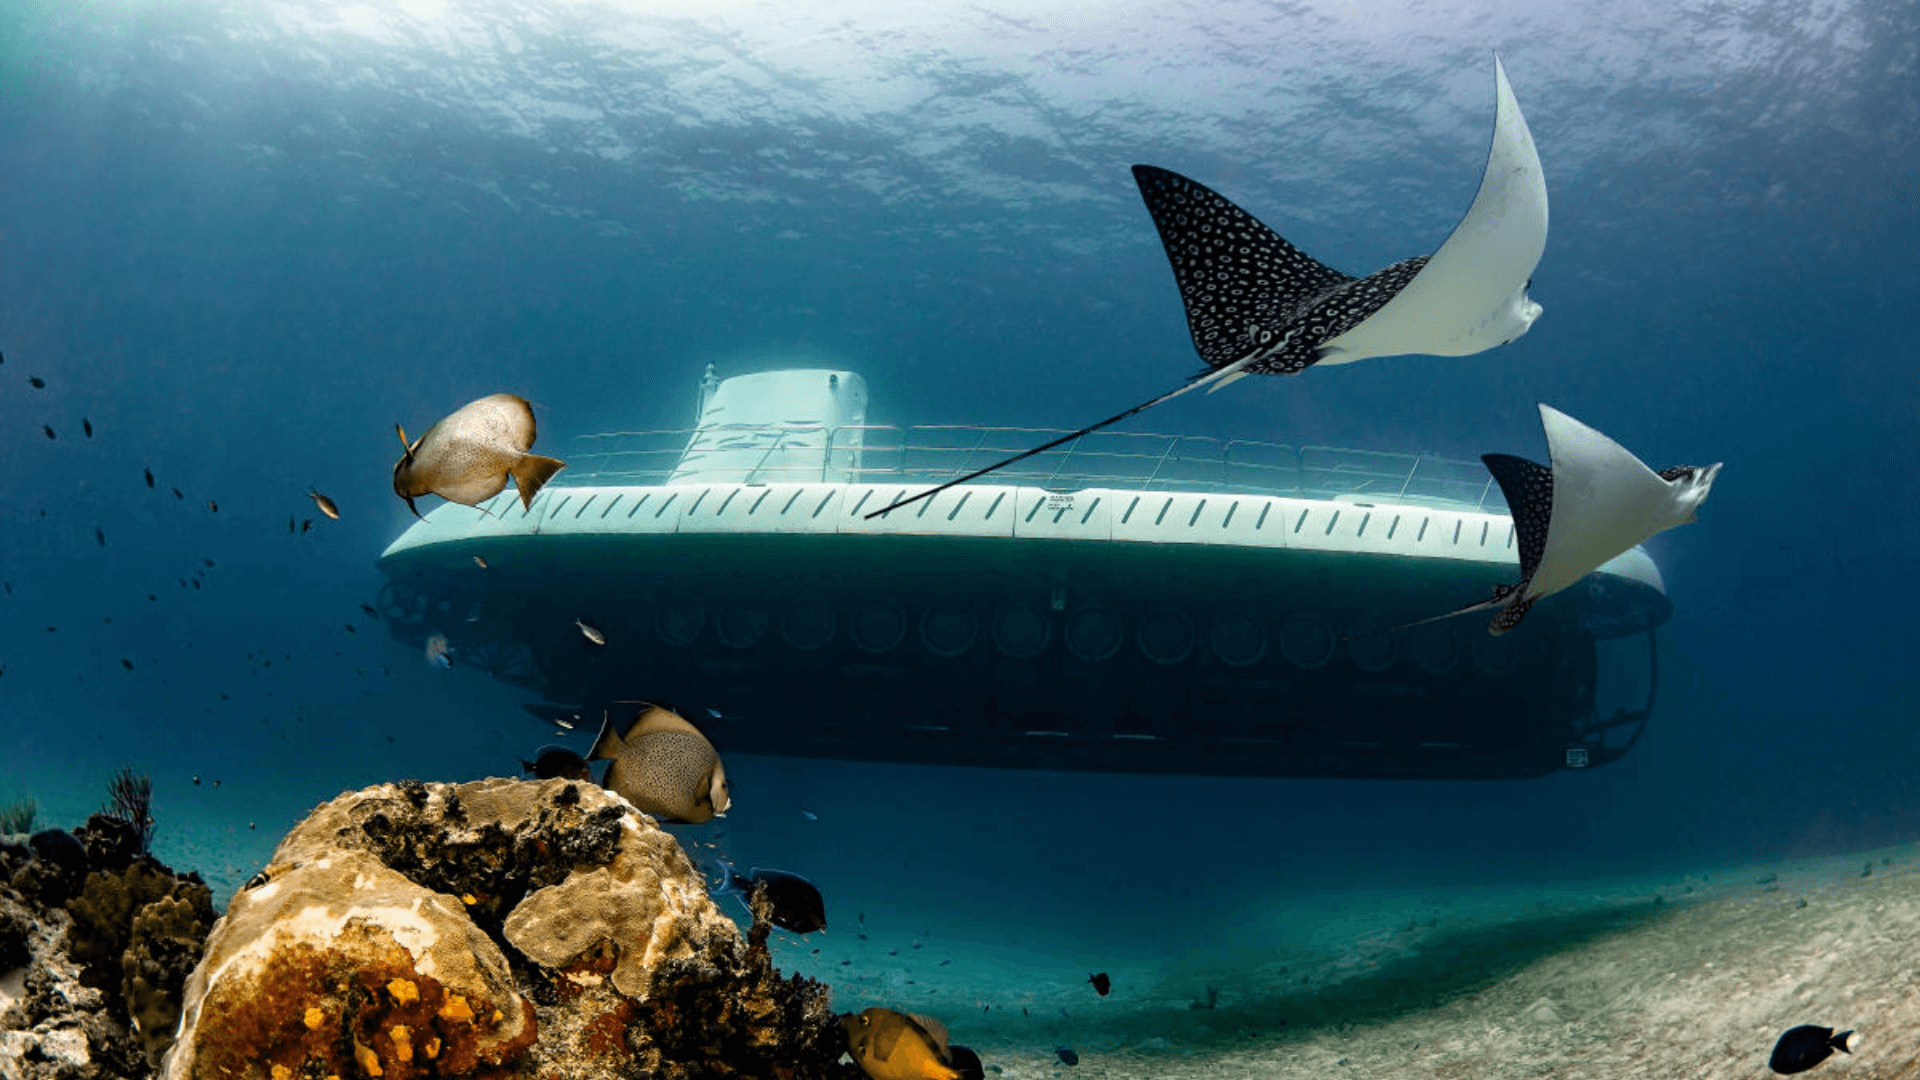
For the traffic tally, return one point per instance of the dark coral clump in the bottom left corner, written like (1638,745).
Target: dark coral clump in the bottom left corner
(97,943)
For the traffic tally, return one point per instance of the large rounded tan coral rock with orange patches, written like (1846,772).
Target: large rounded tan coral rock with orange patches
(502,931)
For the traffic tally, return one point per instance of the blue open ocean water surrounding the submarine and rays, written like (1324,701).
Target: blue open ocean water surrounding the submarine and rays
(241,241)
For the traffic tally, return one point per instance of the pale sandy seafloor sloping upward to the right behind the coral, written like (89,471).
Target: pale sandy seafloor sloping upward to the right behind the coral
(1660,975)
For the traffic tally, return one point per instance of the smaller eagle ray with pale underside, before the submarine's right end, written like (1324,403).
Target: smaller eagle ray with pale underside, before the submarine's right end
(1596,503)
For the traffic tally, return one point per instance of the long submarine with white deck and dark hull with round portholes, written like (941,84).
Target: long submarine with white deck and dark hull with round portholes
(1126,604)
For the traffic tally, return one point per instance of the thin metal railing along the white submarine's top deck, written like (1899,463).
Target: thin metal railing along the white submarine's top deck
(1113,460)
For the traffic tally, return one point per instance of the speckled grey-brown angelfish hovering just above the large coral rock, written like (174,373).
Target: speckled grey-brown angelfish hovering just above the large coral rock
(663,766)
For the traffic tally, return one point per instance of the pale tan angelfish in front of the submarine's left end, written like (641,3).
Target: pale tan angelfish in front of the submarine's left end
(469,454)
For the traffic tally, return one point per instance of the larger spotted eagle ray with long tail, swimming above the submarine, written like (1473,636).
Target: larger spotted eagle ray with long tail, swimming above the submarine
(1260,307)
